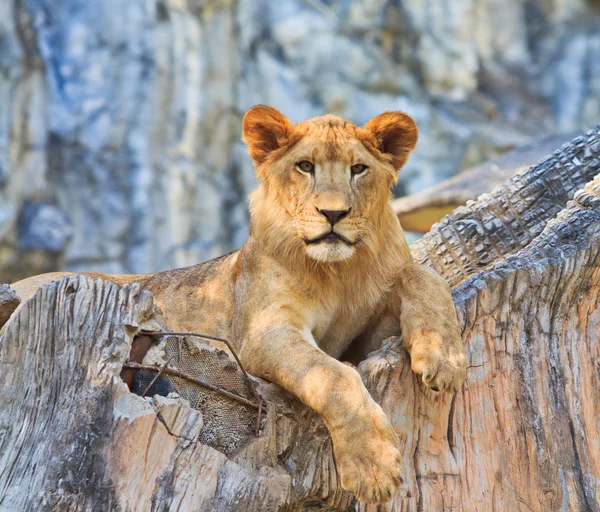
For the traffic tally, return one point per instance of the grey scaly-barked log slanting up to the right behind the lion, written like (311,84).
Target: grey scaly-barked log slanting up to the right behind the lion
(511,216)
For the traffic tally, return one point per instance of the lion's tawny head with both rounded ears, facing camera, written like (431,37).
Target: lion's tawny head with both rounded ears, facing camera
(324,183)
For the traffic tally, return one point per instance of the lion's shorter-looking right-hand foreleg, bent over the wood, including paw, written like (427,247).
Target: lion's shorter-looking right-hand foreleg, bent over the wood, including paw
(429,327)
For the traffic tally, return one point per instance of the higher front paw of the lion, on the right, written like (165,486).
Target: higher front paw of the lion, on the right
(442,368)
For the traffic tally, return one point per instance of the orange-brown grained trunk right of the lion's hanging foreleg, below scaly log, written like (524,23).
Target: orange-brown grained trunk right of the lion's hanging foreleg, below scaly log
(523,433)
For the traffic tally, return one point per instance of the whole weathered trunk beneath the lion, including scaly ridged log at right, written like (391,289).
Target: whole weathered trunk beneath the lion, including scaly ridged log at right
(522,434)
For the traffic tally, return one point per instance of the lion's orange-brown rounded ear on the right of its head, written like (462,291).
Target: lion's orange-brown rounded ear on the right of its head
(396,134)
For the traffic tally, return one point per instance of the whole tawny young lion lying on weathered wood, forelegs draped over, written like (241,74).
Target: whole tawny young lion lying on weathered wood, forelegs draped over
(326,270)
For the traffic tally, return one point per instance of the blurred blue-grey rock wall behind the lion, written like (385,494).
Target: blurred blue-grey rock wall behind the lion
(120,119)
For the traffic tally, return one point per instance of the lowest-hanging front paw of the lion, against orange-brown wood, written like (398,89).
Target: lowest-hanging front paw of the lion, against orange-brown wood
(368,461)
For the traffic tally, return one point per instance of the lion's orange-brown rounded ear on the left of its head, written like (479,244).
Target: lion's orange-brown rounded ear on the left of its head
(265,129)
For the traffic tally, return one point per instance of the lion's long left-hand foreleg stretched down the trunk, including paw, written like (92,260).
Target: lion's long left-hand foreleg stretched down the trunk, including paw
(365,446)
